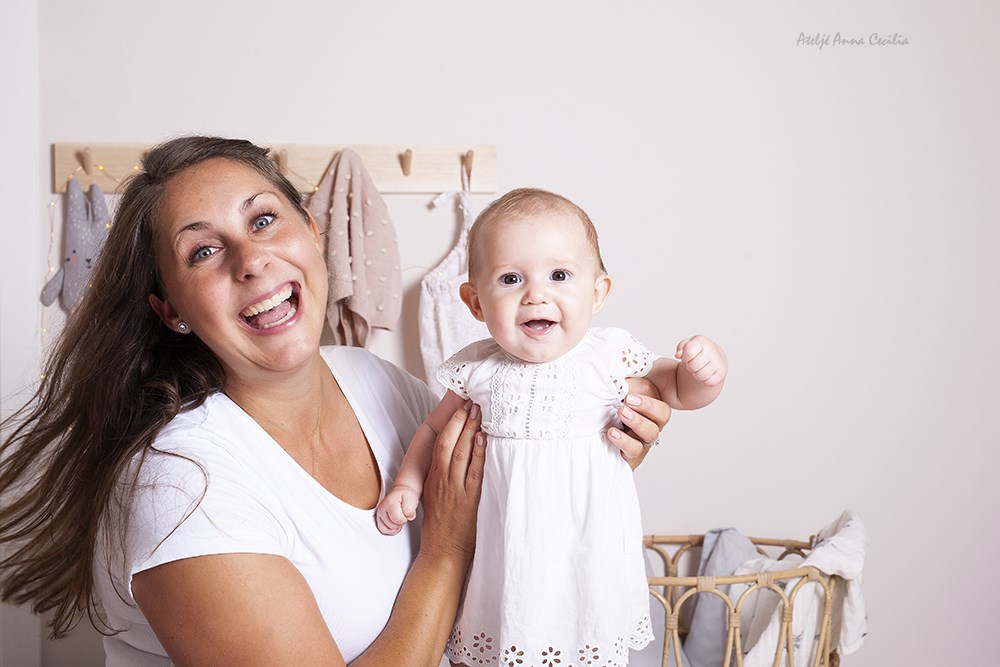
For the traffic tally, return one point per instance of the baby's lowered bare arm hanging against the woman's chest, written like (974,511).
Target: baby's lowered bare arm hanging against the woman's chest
(400,503)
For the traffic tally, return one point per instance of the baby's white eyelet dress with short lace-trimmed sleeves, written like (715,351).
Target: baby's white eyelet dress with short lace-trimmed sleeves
(558,577)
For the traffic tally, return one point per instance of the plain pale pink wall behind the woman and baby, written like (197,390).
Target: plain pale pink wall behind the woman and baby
(829,215)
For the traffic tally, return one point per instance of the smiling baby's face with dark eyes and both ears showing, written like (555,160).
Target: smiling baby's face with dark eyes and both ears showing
(537,285)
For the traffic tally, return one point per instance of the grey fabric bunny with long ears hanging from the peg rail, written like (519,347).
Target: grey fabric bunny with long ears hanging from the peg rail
(86,230)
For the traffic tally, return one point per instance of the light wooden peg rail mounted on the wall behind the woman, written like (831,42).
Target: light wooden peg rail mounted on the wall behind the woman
(393,168)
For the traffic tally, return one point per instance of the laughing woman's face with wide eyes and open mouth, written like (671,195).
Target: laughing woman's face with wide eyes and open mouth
(242,268)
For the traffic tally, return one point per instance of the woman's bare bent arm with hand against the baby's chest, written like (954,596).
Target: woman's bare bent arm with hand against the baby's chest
(254,609)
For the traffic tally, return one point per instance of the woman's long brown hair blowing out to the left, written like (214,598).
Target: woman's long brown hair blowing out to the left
(115,377)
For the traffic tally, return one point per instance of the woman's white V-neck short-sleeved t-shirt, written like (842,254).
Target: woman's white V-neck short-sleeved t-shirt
(233,489)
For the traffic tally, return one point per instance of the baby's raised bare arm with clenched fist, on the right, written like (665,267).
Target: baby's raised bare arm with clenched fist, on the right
(697,379)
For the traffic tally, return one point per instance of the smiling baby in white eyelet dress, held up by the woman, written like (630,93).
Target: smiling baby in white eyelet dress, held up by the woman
(558,574)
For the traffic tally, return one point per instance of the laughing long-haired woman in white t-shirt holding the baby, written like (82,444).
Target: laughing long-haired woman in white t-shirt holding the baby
(197,462)
